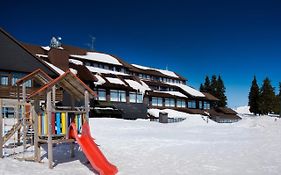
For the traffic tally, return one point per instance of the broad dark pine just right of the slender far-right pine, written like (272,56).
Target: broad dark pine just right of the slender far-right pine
(267,98)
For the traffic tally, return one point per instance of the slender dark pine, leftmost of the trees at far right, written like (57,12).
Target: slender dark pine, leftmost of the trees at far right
(254,97)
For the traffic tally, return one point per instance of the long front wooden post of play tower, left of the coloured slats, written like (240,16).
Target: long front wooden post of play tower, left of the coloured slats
(49,114)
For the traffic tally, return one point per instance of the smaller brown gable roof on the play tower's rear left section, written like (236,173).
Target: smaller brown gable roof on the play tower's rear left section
(38,75)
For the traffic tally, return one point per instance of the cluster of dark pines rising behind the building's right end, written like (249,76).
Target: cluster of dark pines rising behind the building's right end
(216,87)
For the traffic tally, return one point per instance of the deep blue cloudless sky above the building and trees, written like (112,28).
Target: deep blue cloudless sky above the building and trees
(236,39)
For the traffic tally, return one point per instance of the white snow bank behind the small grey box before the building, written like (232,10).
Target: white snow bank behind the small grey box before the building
(171,113)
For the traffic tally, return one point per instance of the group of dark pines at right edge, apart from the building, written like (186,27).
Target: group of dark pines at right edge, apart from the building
(262,100)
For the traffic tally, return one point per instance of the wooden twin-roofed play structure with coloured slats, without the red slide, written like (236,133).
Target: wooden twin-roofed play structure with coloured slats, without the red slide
(40,112)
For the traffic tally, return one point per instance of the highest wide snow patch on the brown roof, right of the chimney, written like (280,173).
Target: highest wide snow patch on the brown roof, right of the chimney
(99,57)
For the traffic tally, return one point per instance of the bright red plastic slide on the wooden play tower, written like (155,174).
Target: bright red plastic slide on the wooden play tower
(91,150)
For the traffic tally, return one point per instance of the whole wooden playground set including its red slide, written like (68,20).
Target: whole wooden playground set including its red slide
(41,122)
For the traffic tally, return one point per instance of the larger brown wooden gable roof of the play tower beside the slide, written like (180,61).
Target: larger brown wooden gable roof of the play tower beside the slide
(70,83)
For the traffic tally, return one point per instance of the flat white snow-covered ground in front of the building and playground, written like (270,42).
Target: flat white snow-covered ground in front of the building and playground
(249,147)
